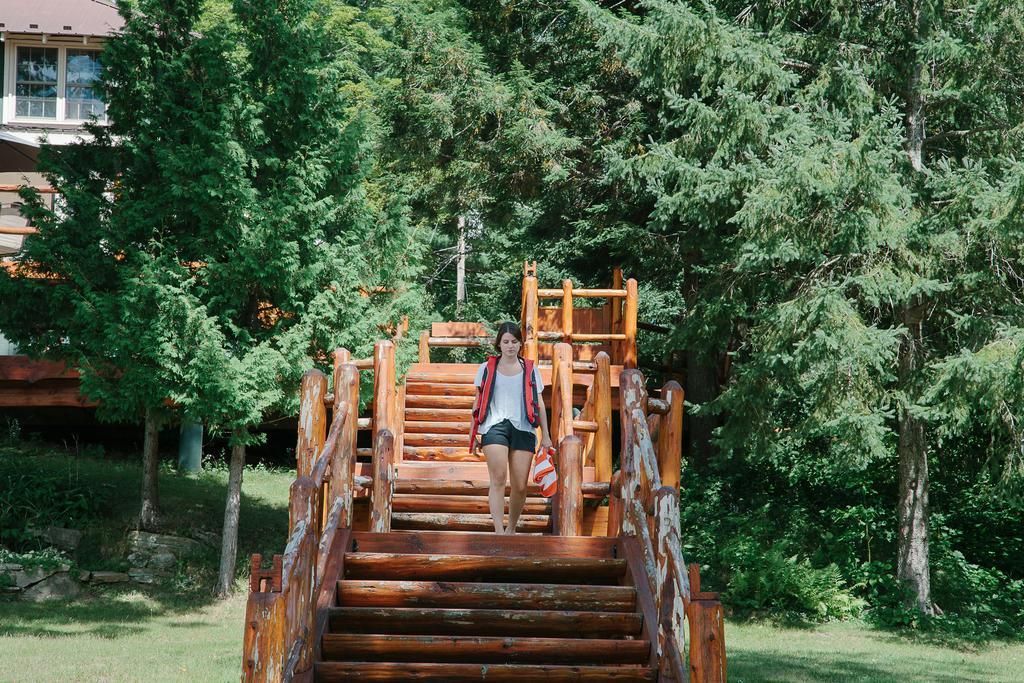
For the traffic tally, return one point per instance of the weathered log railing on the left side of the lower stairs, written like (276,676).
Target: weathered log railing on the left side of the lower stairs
(282,615)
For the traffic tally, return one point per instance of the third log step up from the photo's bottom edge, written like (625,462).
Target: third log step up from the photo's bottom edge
(437,621)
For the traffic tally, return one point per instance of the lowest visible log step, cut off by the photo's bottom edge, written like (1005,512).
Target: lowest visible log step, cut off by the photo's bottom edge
(331,672)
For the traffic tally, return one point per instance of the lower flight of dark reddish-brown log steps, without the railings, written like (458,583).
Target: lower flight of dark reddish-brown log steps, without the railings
(480,607)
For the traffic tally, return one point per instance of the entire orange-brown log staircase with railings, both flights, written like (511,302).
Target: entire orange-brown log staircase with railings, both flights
(393,571)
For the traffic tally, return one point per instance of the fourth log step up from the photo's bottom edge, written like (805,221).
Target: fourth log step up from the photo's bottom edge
(376,593)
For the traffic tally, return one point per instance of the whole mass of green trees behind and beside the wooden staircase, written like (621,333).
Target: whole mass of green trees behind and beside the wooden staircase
(822,202)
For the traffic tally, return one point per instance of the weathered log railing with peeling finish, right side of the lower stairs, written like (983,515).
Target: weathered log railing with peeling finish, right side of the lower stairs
(644,506)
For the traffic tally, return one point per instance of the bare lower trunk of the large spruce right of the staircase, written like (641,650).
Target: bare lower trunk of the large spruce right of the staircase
(913,566)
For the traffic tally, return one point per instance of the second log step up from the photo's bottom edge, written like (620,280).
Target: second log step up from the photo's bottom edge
(371,648)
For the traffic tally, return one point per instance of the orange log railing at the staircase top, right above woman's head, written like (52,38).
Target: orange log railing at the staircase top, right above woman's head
(622,336)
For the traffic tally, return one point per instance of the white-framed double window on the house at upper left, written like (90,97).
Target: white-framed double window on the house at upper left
(52,83)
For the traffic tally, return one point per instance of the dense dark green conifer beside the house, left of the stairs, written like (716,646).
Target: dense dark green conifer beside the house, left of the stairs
(214,242)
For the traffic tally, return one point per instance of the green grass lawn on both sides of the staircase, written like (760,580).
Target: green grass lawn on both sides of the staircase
(179,633)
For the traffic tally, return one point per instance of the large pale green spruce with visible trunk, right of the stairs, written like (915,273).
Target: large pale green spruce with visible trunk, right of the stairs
(845,180)
